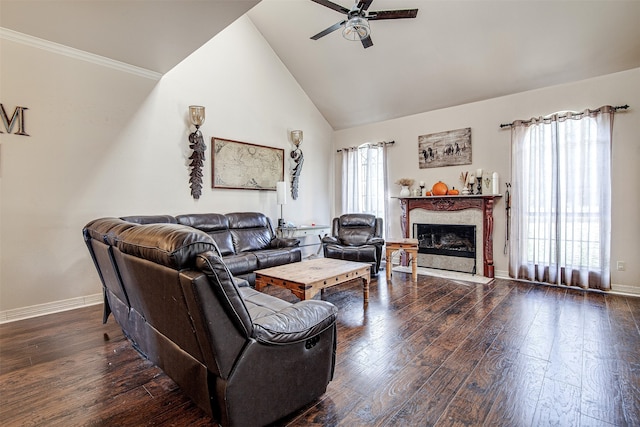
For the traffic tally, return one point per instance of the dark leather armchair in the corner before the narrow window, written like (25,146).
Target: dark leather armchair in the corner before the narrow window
(356,237)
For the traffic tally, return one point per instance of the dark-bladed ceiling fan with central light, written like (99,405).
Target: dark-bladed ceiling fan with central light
(356,26)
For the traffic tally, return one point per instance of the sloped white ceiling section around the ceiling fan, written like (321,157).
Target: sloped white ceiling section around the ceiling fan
(454,52)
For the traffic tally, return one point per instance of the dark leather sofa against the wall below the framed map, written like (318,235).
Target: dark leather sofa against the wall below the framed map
(246,240)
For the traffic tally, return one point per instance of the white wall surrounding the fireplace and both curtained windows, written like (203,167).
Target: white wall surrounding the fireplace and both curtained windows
(491,152)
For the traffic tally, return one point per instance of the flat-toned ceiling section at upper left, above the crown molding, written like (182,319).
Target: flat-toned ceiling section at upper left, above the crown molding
(152,34)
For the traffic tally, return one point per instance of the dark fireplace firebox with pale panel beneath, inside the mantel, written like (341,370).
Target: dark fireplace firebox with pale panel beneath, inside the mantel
(446,246)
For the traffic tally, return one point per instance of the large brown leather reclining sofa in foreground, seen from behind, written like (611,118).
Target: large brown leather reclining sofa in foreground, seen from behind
(246,358)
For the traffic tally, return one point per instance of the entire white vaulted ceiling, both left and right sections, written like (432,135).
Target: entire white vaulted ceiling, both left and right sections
(453,53)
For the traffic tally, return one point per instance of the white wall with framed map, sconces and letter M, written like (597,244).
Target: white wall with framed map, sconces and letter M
(109,143)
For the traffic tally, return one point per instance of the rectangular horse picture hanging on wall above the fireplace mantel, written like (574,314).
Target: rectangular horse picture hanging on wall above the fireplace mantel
(450,148)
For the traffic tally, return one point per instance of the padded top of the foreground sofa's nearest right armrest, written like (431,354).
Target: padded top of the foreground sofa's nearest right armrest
(298,322)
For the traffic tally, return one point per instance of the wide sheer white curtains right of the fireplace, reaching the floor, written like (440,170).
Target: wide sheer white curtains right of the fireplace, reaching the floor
(561,201)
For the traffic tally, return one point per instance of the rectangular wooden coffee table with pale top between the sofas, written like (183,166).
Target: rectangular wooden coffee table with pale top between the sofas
(305,279)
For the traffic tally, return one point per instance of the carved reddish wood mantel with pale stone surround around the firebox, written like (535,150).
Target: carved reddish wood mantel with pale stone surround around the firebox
(472,210)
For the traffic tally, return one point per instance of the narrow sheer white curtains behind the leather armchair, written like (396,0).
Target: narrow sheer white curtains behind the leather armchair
(364,180)
